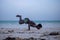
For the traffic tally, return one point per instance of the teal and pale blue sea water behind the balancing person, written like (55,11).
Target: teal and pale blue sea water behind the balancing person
(15,24)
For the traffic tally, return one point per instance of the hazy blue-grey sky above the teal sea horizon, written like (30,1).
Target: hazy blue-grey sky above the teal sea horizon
(32,9)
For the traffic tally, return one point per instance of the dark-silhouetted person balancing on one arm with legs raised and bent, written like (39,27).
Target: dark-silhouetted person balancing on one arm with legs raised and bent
(29,22)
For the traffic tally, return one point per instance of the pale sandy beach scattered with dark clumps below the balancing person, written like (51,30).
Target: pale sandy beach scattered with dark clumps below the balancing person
(33,34)
